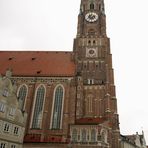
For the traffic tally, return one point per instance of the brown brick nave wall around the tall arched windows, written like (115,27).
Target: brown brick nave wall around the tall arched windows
(50,84)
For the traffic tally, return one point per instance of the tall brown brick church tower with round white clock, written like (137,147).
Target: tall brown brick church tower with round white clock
(96,103)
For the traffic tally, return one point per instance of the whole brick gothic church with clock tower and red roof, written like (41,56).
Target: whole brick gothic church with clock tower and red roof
(69,97)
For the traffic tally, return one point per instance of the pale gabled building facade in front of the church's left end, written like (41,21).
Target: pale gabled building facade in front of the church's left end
(12,119)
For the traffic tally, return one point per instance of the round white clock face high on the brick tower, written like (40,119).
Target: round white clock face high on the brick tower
(91,17)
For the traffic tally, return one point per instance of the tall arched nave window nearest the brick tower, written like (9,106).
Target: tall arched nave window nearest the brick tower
(57,108)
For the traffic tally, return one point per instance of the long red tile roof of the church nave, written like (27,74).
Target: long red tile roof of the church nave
(37,63)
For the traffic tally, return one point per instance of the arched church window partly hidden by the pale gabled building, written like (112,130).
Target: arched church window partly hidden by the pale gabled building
(22,94)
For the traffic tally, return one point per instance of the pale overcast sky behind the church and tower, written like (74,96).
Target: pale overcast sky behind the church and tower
(51,25)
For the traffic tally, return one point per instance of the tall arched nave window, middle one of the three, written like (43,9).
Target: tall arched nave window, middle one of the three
(38,108)
